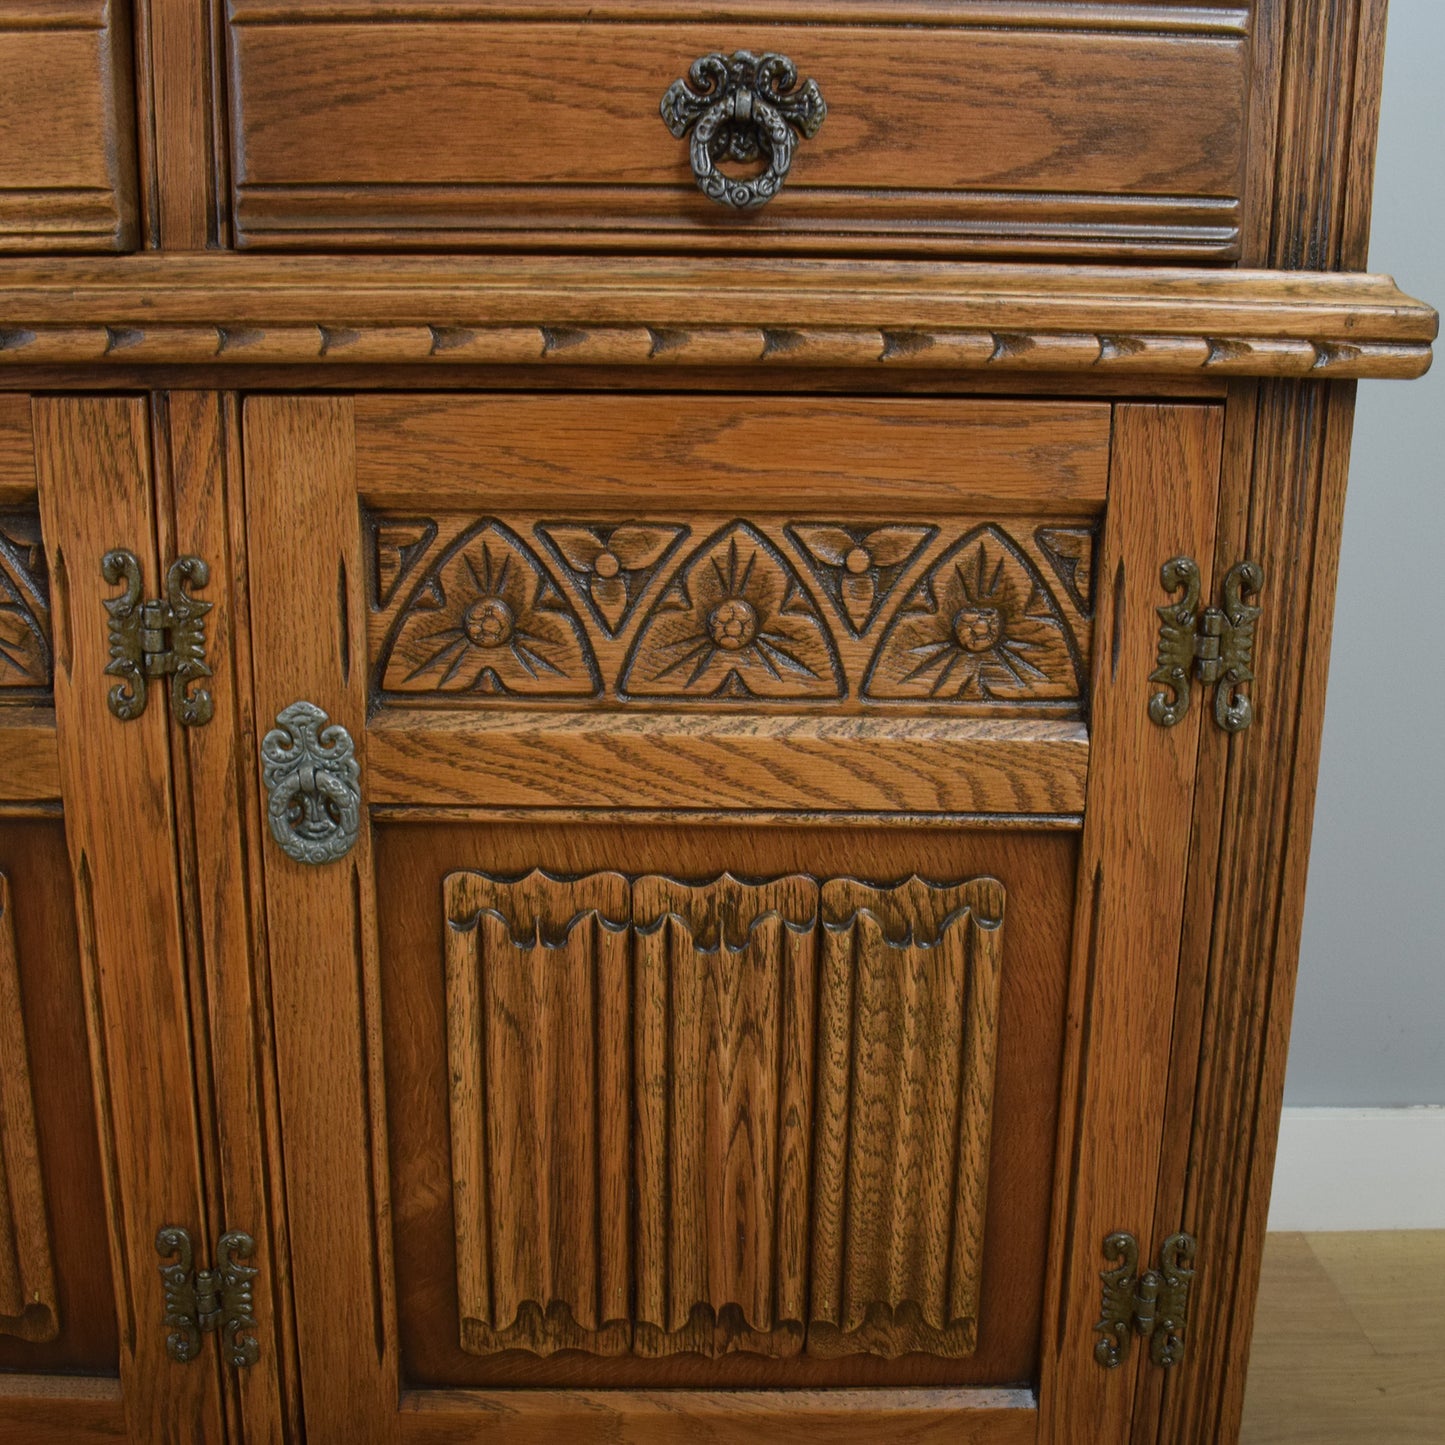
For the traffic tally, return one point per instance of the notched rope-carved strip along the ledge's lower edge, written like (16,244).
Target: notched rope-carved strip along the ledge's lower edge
(976,350)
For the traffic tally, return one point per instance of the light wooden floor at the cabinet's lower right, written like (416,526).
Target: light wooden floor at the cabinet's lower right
(1350,1342)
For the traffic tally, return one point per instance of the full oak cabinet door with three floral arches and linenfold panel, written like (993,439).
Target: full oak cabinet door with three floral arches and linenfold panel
(723,898)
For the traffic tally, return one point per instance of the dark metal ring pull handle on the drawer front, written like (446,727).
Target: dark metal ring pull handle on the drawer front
(741,108)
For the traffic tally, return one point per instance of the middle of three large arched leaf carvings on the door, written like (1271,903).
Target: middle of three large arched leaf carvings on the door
(735,624)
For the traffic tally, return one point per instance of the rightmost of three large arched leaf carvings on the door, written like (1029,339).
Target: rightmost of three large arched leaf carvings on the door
(983,628)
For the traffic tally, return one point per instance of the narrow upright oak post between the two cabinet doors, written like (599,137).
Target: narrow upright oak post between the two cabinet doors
(219,821)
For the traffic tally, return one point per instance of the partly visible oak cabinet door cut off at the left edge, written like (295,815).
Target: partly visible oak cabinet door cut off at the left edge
(100,1139)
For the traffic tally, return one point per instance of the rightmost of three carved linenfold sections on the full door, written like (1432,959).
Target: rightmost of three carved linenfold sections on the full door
(908,1035)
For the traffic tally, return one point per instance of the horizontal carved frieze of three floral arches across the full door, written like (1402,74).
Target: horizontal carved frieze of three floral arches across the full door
(975,615)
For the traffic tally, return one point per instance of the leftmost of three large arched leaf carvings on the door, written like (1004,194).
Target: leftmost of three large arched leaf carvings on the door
(486,619)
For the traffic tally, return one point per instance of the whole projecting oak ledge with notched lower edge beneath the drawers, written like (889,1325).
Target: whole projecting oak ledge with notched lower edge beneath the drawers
(290,311)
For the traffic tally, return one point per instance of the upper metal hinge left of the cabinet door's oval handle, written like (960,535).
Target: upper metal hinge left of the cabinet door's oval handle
(163,638)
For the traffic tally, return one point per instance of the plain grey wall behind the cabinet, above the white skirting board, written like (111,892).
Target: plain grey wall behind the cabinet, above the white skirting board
(1371,1014)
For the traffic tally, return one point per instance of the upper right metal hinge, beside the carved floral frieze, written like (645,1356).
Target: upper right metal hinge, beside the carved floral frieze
(1217,645)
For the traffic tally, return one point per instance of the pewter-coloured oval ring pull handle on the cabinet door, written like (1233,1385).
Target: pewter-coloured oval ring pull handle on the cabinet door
(313,785)
